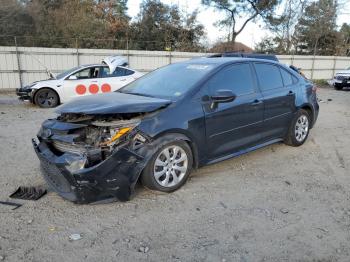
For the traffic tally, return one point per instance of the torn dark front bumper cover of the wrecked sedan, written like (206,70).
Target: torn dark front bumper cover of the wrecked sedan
(115,177)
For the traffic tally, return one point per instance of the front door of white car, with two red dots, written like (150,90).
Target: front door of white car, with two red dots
(82,83)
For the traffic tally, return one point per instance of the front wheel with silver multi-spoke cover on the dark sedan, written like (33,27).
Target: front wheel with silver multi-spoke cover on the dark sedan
(169,167)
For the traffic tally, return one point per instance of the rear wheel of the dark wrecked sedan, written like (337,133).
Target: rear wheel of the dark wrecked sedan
(299,129)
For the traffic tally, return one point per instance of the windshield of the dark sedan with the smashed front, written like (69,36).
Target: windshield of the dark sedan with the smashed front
(169,82)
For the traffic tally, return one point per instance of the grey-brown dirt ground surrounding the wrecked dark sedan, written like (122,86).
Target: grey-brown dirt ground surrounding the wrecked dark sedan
(276,204)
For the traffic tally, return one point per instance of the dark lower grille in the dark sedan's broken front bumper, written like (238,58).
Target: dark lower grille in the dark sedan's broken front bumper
(54,176)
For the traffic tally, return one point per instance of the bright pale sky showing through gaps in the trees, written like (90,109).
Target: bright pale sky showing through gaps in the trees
(251,35)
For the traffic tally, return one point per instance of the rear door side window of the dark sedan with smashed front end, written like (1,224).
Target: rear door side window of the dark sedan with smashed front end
(269,76)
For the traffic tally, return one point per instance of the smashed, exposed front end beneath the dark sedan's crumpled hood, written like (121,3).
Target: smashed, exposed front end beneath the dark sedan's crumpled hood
(94,138)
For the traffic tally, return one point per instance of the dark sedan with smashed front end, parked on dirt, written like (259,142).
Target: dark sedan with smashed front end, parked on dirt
(161,126)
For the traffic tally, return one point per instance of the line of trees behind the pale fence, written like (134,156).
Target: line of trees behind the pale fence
(295,26)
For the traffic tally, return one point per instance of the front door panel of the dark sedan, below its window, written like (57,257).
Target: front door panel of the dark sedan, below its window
(233,126)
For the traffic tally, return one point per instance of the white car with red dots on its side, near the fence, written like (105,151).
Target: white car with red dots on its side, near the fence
(83,80)
